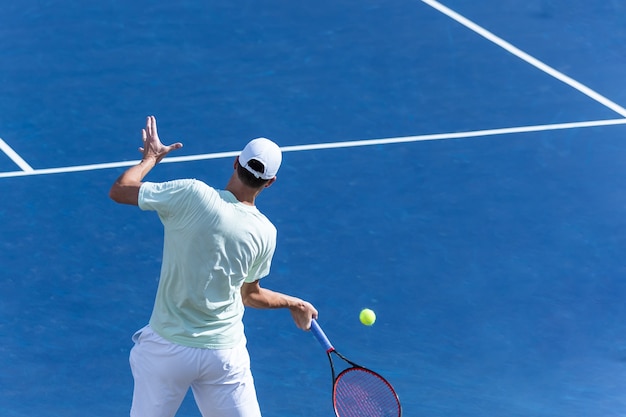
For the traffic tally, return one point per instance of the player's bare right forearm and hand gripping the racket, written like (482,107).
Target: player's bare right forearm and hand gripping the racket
(255,296)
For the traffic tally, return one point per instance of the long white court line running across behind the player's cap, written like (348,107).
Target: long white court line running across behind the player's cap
(331,145)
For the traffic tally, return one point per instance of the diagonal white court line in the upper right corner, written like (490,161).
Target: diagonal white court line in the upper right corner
(528,58)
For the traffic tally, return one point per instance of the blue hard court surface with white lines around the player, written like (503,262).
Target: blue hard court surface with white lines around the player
(458,167)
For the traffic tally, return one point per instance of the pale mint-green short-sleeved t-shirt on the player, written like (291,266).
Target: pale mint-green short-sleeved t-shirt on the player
(212,245)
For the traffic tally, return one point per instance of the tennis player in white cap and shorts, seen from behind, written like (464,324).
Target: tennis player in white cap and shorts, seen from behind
(217,247)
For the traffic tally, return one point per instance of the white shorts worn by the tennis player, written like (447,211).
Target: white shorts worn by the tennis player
(221,380)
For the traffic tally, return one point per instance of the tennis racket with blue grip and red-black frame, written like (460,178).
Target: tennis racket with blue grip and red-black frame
(358,391)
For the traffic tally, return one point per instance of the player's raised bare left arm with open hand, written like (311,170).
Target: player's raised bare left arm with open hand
(125,189)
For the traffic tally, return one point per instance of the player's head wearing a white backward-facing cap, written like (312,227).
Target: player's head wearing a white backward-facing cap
(259,162)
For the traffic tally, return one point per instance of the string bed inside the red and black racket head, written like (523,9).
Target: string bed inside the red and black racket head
(362,393)
